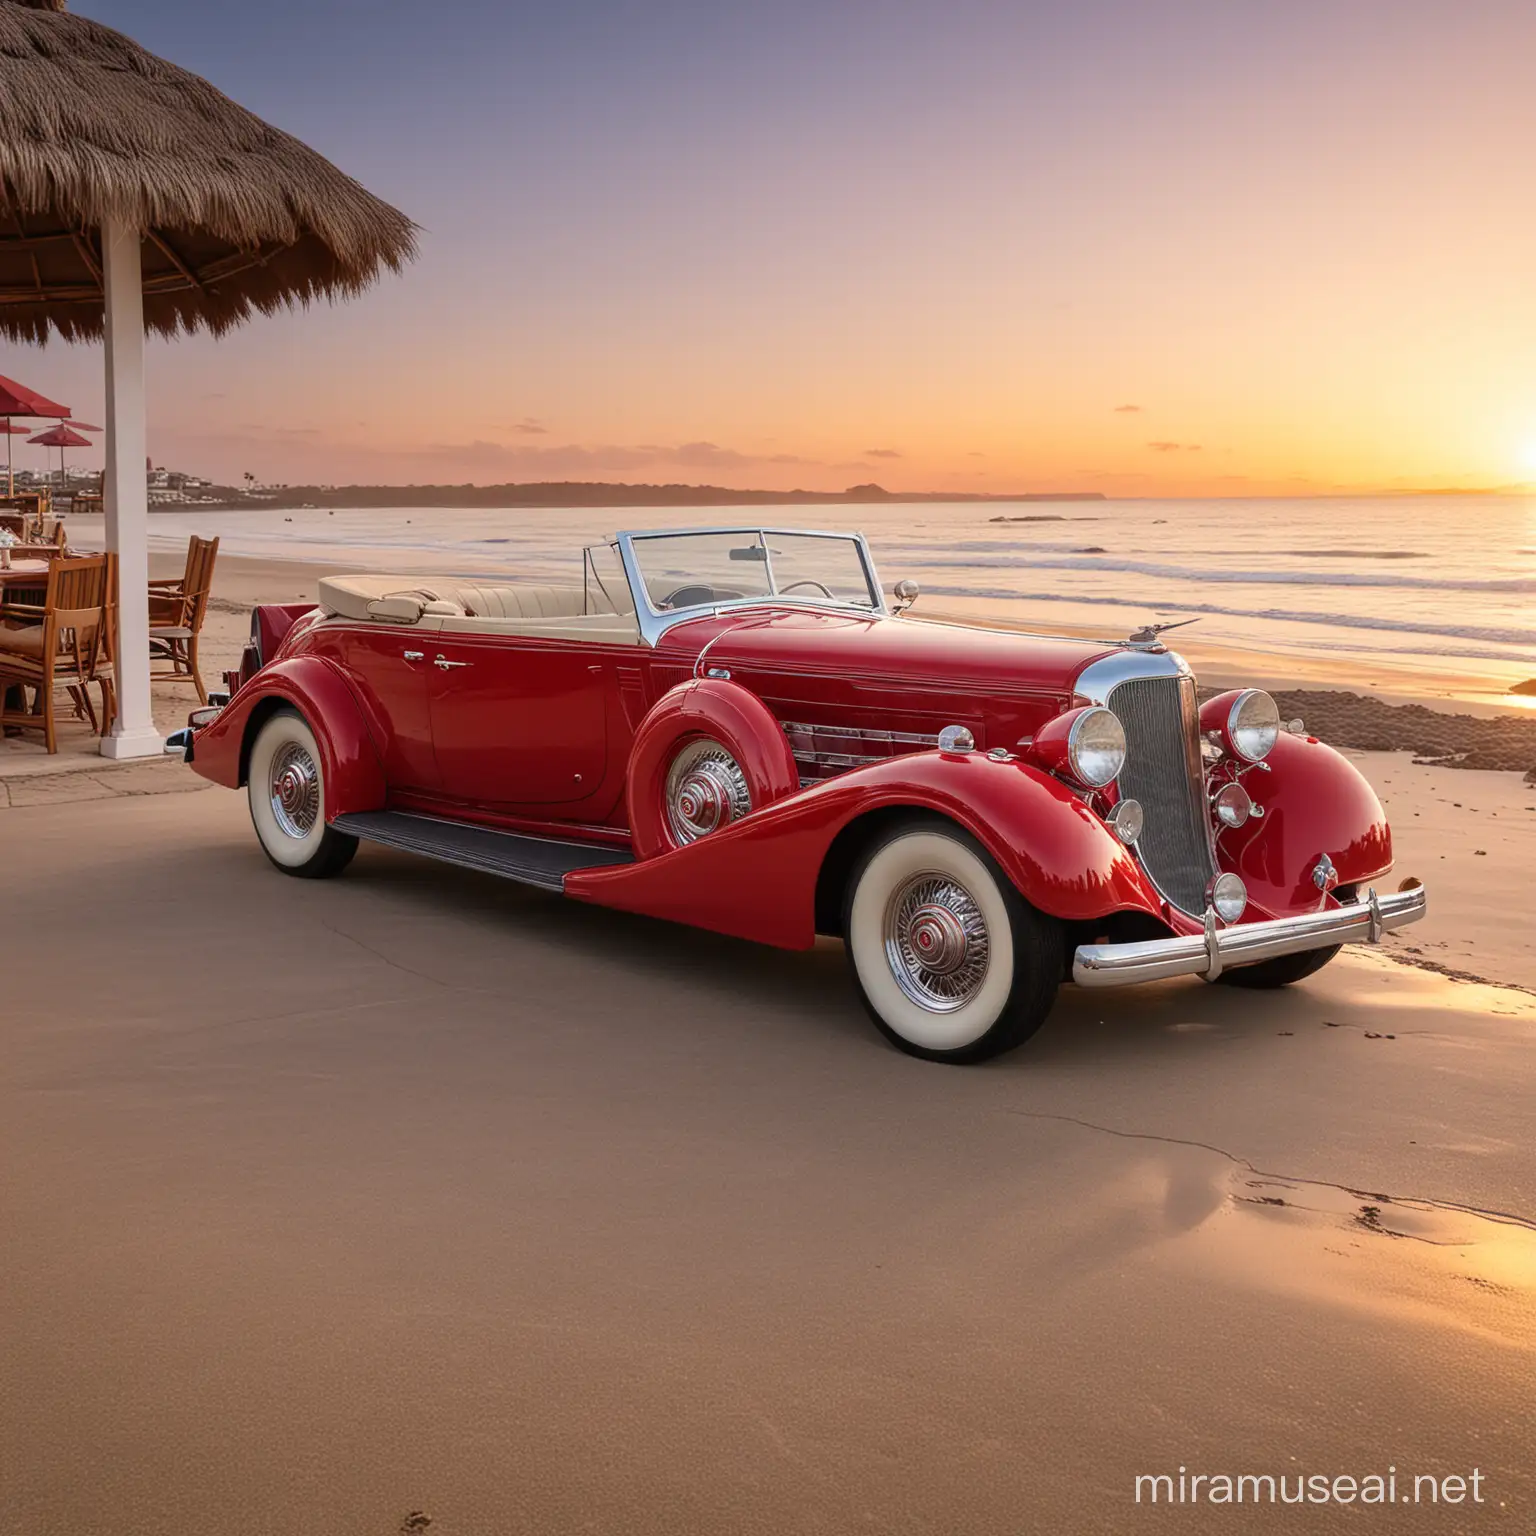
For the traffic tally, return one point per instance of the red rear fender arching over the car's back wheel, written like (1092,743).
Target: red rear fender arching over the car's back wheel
(314,687)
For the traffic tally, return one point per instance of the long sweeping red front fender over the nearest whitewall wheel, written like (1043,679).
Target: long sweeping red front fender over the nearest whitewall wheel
(756,878)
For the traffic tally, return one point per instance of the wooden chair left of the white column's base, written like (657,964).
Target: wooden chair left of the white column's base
(62,644)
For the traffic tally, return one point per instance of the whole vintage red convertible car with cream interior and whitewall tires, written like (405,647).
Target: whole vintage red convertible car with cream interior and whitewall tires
(737,729)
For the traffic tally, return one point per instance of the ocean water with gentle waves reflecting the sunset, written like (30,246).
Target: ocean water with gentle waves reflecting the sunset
(1445,584)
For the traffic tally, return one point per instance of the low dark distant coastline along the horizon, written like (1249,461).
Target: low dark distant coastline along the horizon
(592,494)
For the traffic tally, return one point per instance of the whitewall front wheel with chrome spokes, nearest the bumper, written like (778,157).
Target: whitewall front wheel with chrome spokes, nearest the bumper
(948,958)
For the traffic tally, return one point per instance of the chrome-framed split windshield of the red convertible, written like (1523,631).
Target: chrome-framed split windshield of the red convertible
(689,571)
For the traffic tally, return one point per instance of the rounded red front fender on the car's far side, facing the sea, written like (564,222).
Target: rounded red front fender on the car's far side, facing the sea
(1316,803)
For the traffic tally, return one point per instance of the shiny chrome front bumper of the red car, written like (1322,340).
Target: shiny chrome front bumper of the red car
(1220,950)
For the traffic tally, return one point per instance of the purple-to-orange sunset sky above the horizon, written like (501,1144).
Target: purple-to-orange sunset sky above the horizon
(1139,248)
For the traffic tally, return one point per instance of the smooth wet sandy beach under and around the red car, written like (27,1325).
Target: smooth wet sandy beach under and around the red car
(417,1194)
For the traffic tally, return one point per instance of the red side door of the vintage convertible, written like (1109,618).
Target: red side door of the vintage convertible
(518,721)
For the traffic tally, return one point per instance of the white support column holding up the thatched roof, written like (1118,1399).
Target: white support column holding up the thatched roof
(125,492)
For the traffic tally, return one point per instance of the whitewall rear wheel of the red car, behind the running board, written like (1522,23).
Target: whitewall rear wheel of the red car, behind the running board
(286,787)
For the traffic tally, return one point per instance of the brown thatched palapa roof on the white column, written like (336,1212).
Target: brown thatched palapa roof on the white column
(237,216)
